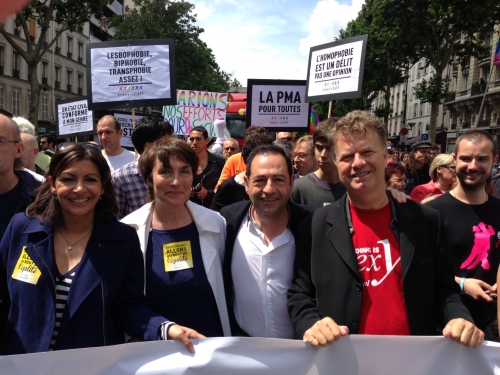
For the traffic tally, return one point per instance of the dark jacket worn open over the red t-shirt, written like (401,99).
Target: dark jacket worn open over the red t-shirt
(326,278)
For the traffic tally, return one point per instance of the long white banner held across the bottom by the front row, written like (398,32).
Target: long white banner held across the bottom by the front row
(373,355)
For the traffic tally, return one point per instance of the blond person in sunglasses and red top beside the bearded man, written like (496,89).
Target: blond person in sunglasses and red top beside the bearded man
(443,179)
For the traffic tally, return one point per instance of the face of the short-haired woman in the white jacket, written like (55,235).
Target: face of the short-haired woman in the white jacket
(172,184)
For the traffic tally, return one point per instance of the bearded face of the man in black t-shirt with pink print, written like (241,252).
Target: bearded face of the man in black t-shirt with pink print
(474,163)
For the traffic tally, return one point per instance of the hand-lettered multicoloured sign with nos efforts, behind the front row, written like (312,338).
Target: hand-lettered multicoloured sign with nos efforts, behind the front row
(196,108)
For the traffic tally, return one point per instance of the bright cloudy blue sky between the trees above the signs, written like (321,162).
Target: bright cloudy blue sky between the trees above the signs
(270,39)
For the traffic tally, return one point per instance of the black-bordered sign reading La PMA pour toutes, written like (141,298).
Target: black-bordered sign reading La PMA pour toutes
(277,105)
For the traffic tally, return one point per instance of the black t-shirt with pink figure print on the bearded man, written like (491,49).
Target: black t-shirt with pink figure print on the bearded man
(473,232)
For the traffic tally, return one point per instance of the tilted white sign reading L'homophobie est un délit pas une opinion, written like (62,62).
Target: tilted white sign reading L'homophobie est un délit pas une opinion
(335,70)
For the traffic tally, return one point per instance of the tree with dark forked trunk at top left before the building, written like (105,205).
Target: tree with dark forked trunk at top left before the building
(68,14)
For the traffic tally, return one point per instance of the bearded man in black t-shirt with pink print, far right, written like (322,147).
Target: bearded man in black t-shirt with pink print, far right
(472,223)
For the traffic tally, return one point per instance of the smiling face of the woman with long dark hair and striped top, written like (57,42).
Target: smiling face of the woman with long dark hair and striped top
(78,189)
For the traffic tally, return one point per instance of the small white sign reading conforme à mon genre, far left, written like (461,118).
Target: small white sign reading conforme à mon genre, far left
(74,118)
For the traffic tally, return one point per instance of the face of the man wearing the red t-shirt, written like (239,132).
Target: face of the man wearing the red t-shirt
(361,162)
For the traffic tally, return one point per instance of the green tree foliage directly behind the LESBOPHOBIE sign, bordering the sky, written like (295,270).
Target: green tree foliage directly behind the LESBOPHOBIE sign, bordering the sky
(195,65)
